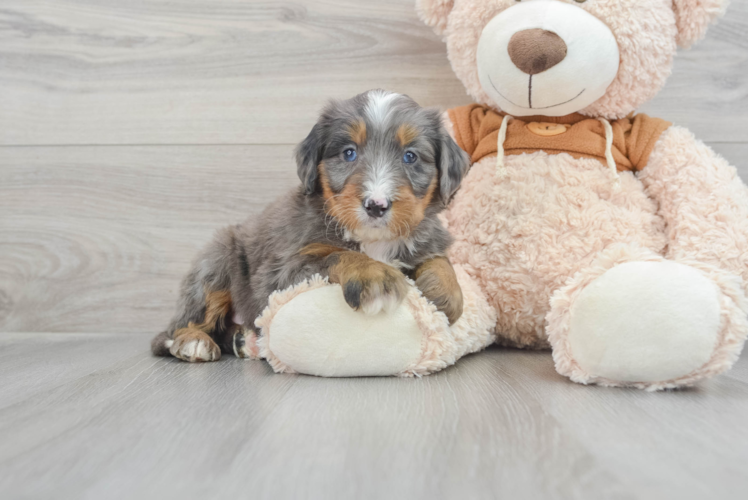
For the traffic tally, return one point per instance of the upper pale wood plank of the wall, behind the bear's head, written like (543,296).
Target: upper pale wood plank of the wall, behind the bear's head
(257,72)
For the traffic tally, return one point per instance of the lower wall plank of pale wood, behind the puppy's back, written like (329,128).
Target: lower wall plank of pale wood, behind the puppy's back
(97,239)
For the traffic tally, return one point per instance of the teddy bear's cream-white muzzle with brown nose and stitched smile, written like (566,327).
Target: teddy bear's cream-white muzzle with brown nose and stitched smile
(569,64)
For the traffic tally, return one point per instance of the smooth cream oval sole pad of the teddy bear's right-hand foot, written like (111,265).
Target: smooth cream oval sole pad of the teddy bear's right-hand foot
(645,322)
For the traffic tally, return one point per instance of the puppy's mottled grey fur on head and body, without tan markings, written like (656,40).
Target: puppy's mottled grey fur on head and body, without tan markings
(261,255)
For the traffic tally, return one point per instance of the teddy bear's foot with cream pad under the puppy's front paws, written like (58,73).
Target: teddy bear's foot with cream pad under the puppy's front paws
(310,329)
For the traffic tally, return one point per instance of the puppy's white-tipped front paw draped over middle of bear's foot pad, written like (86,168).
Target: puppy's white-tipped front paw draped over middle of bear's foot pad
(368,285)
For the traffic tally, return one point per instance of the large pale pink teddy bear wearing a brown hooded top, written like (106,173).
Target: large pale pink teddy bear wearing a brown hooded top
(615,239)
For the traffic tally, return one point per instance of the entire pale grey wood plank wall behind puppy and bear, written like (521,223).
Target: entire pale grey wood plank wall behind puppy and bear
(130,131)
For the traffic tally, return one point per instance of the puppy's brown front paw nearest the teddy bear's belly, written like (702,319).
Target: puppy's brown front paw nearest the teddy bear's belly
(438,282)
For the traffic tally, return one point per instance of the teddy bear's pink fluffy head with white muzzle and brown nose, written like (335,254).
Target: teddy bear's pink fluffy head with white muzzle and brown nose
(602,58)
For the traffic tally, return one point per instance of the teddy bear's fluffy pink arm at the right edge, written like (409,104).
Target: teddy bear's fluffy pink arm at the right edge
(702,200)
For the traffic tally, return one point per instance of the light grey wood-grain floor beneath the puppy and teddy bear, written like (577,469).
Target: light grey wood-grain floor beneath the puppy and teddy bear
(106,420)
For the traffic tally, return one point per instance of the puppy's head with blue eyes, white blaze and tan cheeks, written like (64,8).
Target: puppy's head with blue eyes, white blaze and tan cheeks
(381,163)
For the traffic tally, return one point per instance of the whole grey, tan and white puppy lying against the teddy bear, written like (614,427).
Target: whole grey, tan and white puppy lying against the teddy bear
(375,170)
